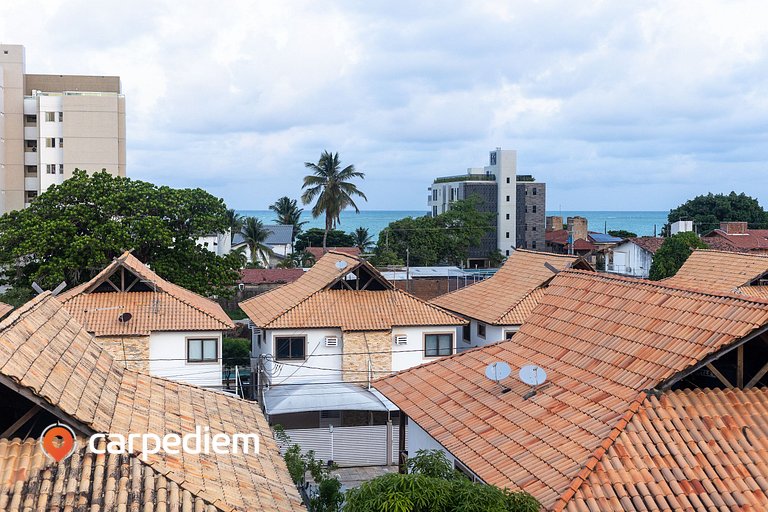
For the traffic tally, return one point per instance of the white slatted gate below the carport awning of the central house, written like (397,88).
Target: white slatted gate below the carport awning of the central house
(348,446)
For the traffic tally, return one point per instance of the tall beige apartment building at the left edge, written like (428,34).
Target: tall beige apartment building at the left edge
(52,124)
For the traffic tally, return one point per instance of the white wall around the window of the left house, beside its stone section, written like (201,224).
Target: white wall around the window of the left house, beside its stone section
(168,358)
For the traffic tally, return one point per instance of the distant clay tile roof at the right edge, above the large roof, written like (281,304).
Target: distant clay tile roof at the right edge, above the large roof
(719,271)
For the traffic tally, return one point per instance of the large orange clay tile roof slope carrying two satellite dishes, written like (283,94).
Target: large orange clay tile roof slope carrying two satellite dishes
(602,340)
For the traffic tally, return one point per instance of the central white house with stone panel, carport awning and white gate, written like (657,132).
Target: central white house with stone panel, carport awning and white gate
(321,340)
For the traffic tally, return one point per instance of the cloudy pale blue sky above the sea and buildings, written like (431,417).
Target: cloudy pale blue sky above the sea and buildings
(615,105)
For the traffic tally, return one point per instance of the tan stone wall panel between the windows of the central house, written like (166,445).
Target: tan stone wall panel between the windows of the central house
(359,346)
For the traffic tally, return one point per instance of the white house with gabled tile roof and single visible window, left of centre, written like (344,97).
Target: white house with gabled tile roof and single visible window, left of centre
(150,324)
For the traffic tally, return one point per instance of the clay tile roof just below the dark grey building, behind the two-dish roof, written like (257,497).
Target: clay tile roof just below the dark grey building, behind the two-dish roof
(508,296)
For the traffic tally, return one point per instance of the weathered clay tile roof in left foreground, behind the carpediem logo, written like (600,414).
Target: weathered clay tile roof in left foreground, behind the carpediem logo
(46,355)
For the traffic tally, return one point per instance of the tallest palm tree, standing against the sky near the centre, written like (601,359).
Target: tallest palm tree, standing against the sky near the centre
(332,189)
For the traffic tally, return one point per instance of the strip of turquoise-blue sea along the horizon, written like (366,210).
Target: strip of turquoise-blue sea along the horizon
(642,223)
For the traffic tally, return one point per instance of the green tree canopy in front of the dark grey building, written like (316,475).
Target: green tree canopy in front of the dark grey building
(446,238)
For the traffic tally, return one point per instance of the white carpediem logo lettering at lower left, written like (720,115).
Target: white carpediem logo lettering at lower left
(197,442)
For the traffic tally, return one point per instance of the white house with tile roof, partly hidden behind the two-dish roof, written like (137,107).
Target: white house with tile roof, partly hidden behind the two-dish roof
(497,306)
